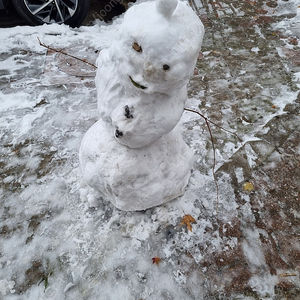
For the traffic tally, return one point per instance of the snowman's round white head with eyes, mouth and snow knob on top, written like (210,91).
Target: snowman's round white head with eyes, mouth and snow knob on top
(156,46)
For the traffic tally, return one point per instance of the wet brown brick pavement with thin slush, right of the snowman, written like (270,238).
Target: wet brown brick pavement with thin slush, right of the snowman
(250,67)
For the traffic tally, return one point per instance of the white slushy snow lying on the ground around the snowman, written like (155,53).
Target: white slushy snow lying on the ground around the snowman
(47,226)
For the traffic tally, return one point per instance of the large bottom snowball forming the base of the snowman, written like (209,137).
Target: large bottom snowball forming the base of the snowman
(135,179)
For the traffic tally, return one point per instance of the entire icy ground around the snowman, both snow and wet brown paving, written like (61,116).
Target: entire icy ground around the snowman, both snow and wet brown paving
(53,246)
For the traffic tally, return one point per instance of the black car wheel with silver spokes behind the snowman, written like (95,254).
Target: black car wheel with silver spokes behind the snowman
(38,12)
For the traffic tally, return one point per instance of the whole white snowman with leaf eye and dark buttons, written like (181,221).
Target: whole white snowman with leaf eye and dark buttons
(134,155)
